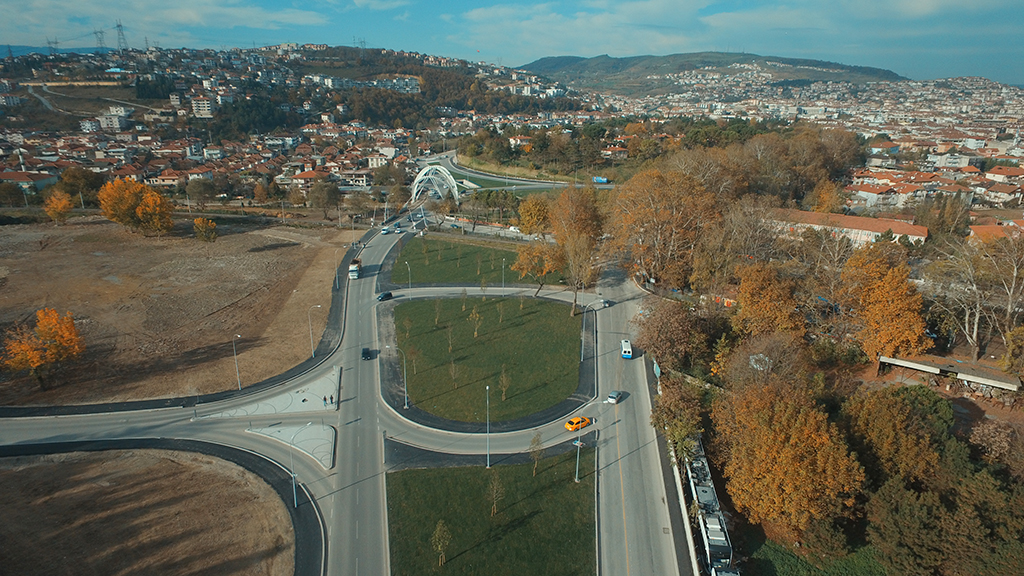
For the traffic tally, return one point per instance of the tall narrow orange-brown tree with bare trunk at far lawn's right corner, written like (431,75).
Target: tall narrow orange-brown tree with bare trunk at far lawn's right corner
(577,225)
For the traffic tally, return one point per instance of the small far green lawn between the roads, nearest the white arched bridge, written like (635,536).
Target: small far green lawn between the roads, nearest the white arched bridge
(453,262)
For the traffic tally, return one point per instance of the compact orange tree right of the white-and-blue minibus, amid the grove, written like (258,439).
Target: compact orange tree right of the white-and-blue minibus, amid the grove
(766,303)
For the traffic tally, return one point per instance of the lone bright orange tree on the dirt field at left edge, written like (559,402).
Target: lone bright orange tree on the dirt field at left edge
(53,342)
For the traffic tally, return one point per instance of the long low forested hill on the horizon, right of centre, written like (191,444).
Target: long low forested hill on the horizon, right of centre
(646,75)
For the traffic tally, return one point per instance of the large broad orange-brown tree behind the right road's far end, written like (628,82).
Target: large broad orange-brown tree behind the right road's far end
(659,219)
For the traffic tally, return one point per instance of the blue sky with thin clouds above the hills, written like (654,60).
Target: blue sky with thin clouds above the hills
(920,39)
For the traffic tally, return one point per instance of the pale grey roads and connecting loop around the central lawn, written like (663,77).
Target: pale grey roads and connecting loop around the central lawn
(337,455)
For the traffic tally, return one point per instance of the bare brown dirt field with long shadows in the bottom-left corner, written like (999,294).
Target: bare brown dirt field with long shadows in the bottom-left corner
(146,512)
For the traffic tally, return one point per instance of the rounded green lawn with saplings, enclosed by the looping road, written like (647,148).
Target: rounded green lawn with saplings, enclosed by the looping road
(539,347)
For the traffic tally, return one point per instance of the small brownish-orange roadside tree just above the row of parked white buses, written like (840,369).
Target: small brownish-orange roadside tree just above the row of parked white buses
(677,412)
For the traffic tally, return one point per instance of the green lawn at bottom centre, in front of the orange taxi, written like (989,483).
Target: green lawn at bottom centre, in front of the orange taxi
(544,525)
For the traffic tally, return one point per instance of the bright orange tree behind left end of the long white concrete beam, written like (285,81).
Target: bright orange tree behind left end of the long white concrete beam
(886,306)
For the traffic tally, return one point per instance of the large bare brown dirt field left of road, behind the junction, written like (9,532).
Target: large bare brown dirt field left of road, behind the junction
(159,315)
